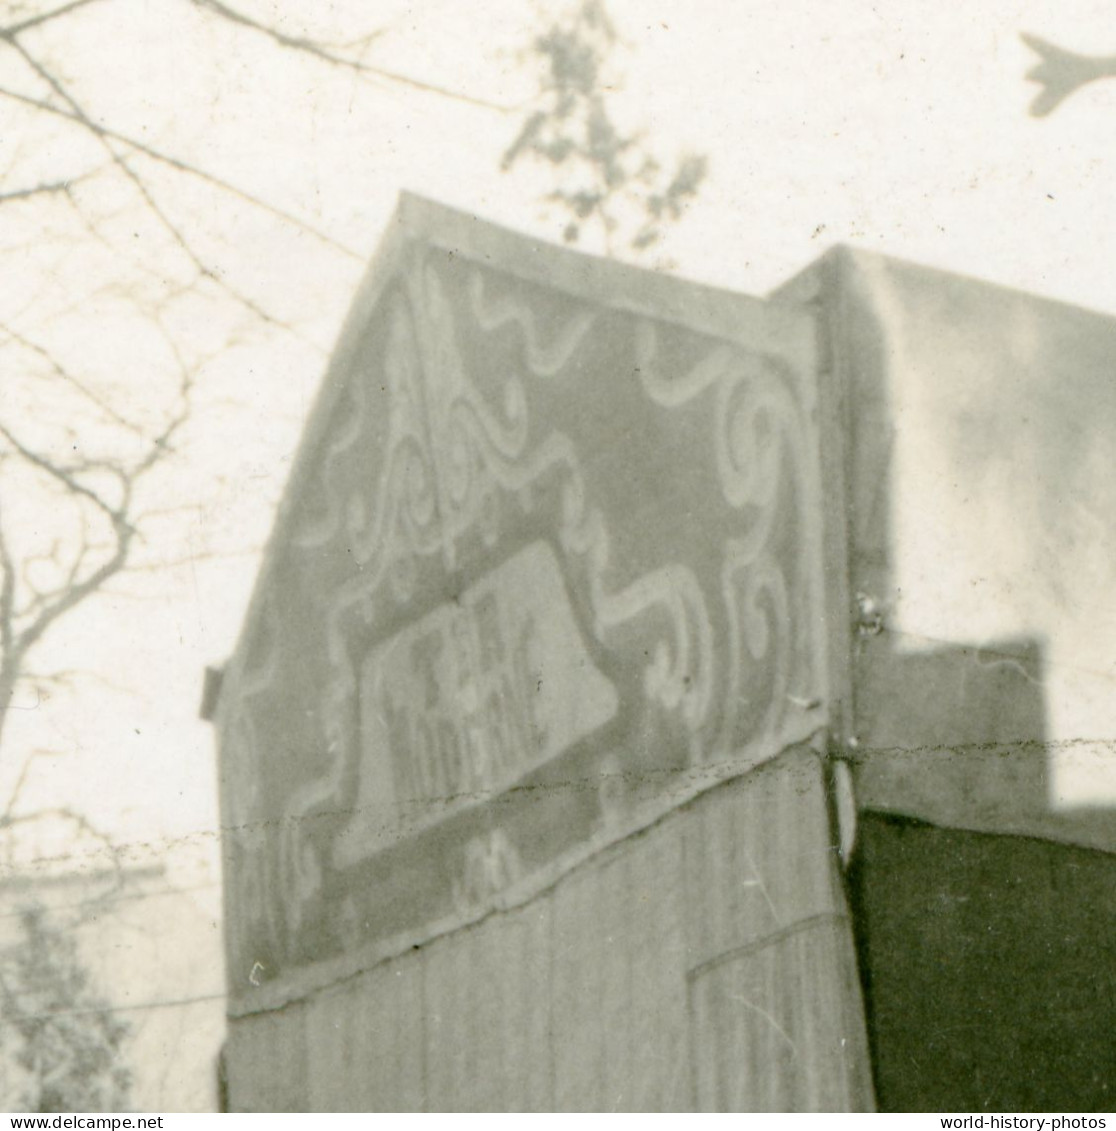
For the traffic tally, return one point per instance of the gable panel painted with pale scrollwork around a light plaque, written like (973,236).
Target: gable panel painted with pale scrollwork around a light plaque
(550,567)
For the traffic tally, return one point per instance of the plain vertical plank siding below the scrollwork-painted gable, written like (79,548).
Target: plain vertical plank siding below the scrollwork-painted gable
(705,964)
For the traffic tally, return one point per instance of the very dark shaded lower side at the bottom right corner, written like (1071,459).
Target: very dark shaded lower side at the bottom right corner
(989,966)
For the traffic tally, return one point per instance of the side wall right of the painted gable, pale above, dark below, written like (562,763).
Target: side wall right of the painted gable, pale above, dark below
(974,431)
